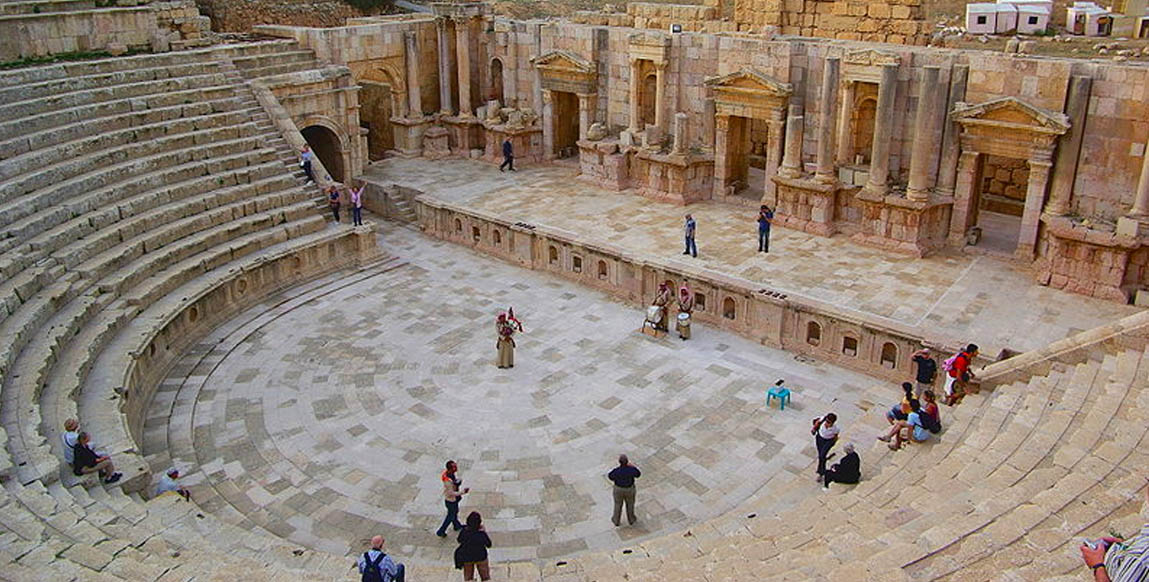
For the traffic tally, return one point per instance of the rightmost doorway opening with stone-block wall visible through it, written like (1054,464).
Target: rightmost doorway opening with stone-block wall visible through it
(1001,189)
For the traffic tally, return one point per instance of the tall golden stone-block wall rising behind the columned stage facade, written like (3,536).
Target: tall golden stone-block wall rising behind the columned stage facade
(896,21)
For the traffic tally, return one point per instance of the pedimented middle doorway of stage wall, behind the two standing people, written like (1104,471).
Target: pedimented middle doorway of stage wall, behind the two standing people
(743,98)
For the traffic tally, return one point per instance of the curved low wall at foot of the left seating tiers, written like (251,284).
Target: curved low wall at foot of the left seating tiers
(238,290)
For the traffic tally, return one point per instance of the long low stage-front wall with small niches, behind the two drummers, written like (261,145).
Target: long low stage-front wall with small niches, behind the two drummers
(801,325)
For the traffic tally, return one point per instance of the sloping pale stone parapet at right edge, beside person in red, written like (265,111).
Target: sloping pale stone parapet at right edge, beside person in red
(1124,335)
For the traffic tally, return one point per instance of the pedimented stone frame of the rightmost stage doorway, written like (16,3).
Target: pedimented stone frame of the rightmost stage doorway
(1005,128)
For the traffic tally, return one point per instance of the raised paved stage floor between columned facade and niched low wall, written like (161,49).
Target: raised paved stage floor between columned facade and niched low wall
(955,297)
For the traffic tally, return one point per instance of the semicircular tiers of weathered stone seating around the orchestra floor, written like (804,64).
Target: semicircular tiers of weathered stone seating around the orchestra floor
(130,182)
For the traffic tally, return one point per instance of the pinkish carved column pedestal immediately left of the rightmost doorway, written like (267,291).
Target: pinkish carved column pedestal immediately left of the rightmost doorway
(907,227)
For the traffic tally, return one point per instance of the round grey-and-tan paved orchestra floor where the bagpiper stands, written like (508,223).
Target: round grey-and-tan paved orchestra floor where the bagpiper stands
(328,421)
